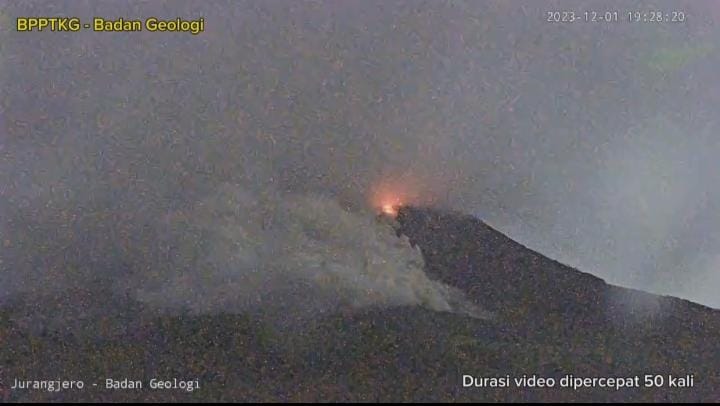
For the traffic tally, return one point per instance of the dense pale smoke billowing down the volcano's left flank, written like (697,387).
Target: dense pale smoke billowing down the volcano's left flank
(295,253)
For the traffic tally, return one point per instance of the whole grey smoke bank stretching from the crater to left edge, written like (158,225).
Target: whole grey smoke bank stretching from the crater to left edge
(238,250)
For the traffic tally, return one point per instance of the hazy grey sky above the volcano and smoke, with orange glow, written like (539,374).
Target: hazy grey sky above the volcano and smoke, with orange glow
(594,143)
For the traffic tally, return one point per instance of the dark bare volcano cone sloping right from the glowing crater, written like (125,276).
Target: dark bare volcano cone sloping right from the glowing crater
(504,276)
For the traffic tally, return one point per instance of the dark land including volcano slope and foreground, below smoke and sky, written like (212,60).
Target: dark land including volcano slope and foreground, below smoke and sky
(550,321)
